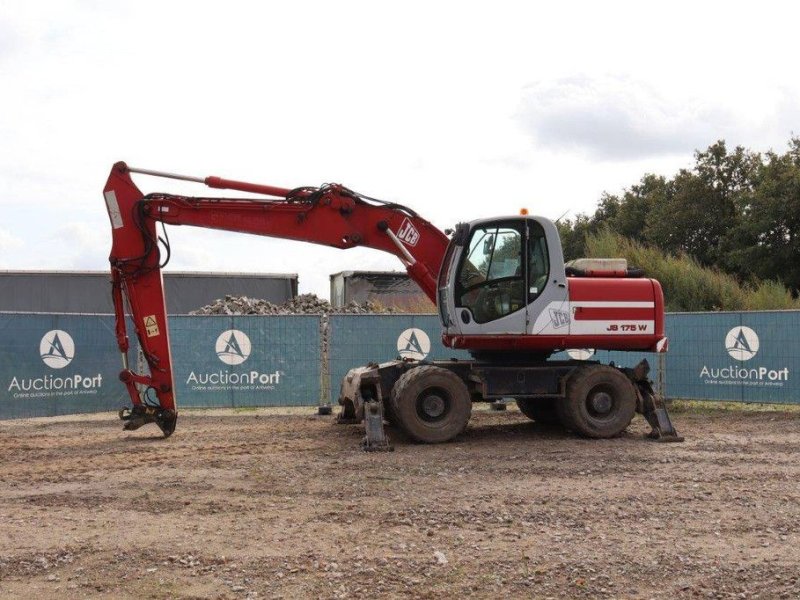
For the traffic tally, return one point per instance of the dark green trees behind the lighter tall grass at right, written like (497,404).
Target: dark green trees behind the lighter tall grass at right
(736,211)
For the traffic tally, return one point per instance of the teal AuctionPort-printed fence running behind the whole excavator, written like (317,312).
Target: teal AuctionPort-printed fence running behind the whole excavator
(64,364)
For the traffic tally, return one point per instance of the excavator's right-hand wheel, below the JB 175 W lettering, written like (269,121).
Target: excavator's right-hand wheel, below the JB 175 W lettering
(600,402)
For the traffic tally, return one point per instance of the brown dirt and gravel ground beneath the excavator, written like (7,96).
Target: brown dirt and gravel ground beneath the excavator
(265,505)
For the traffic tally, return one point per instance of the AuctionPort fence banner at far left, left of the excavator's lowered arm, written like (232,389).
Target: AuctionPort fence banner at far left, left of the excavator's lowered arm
(58,364)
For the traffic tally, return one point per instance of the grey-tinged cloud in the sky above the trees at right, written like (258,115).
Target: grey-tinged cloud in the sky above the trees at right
(622,118)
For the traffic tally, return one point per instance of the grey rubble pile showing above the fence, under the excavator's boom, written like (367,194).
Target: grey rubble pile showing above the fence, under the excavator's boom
(304,304)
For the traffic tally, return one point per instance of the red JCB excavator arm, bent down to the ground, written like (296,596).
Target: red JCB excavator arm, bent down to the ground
(330,215)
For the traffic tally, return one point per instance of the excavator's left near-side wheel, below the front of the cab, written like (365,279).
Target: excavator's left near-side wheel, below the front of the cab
(431,404)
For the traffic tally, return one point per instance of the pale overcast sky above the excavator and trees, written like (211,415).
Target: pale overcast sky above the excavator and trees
(460,110)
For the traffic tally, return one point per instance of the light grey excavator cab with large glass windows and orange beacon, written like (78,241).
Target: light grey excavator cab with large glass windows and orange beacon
(500,275)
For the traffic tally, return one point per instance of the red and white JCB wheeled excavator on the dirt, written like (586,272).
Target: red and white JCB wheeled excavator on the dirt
(501,287)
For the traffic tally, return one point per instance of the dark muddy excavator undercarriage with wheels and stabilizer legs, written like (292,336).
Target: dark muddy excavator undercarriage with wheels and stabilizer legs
(430,400)
